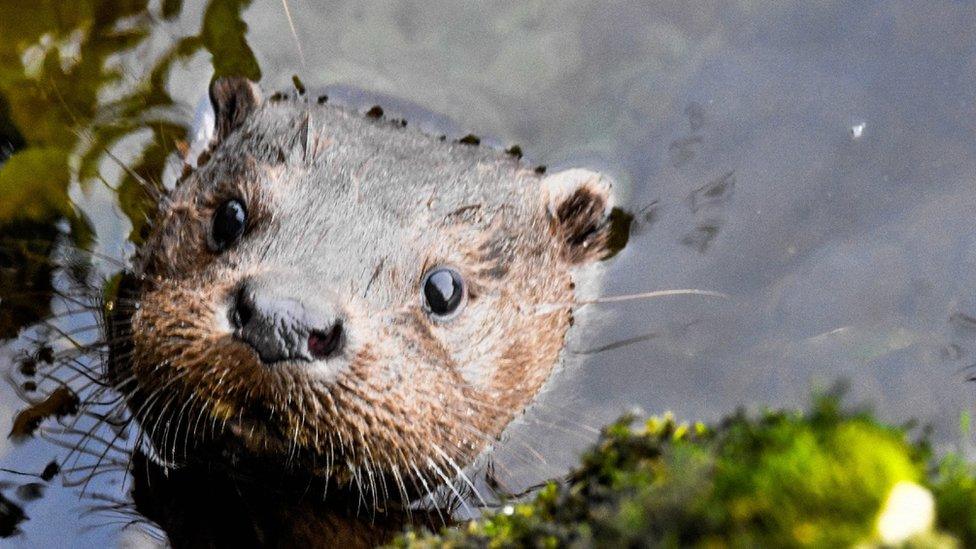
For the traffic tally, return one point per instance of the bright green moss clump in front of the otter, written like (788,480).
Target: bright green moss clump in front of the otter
(822,478)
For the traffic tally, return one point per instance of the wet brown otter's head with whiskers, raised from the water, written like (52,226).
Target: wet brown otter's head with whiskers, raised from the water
(352,296)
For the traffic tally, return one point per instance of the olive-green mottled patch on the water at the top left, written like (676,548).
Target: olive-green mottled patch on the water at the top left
(72,115)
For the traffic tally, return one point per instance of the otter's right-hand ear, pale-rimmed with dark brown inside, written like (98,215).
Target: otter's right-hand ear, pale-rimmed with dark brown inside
(578,204)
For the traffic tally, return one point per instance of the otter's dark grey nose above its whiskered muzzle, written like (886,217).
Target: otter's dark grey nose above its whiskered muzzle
(282,328)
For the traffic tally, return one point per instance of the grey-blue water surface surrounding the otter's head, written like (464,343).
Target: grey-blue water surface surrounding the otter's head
(815,163)
